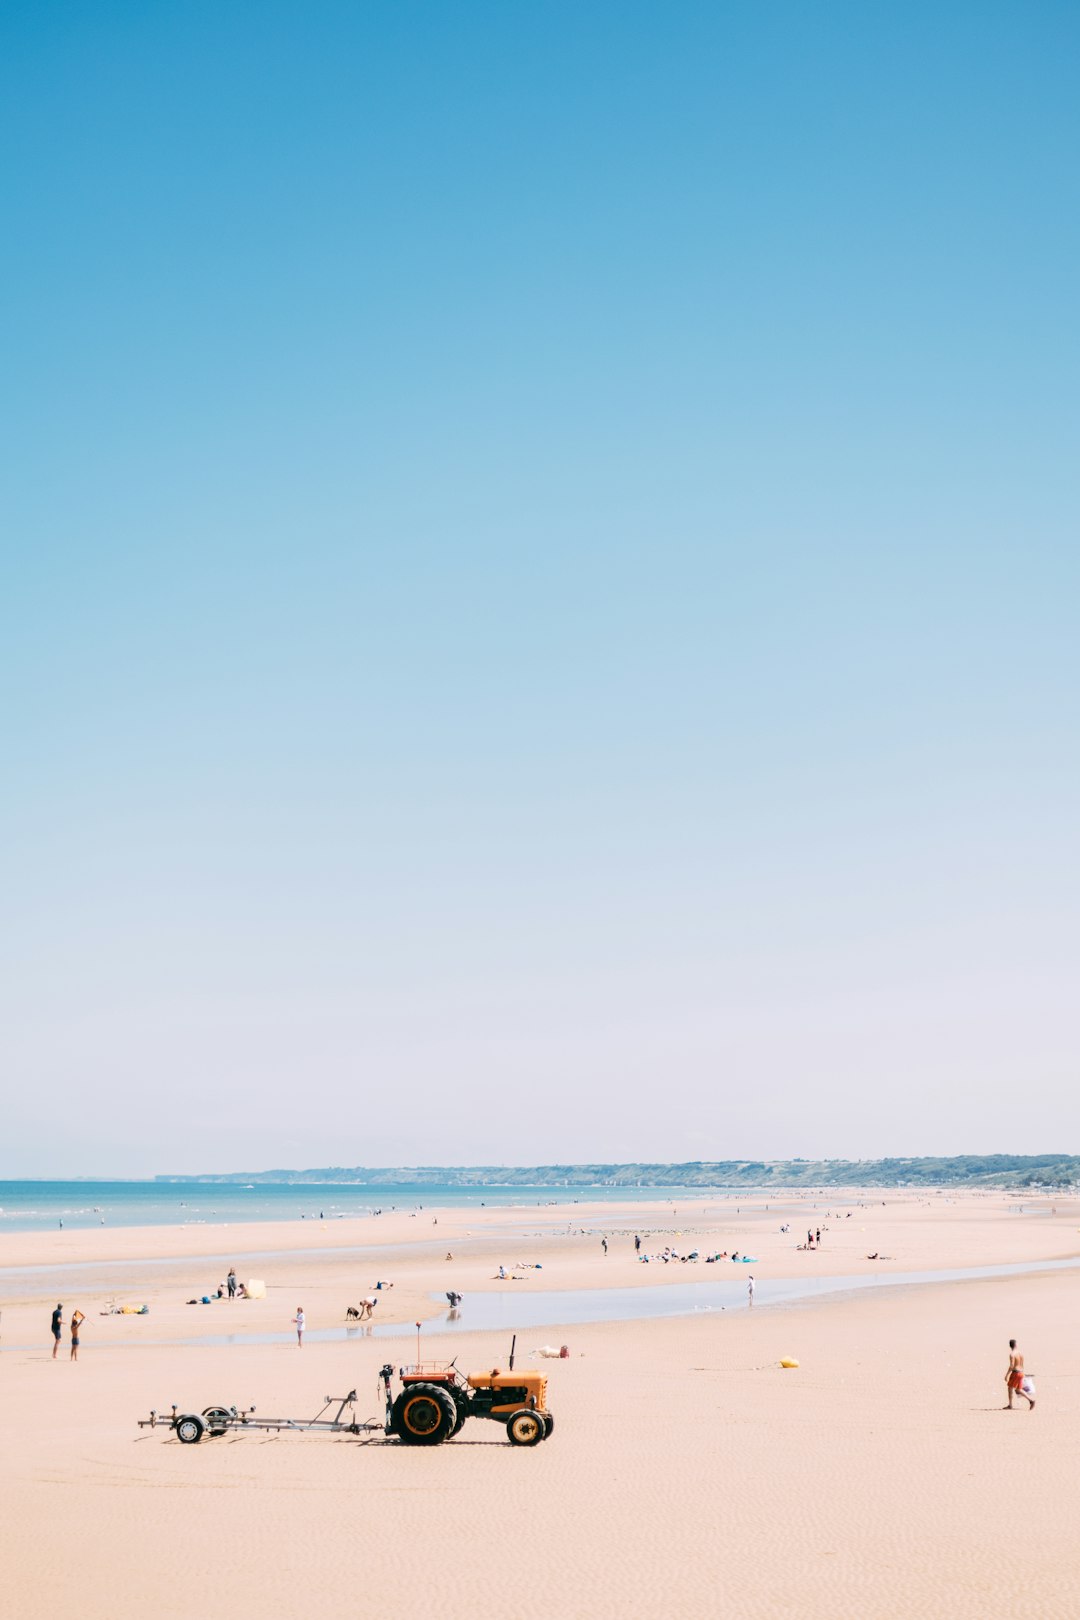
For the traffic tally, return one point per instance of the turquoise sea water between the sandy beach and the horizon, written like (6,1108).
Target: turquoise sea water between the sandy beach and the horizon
(40,1206)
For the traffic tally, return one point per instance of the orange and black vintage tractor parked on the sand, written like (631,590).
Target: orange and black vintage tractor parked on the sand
(436,1399)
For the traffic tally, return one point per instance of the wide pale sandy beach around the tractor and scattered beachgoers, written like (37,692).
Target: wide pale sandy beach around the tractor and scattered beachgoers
(689,1475)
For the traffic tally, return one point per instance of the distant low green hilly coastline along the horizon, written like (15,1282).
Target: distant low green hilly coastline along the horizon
(993,1170)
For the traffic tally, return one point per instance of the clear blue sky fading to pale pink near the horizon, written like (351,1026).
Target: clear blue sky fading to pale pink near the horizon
(540,597)
